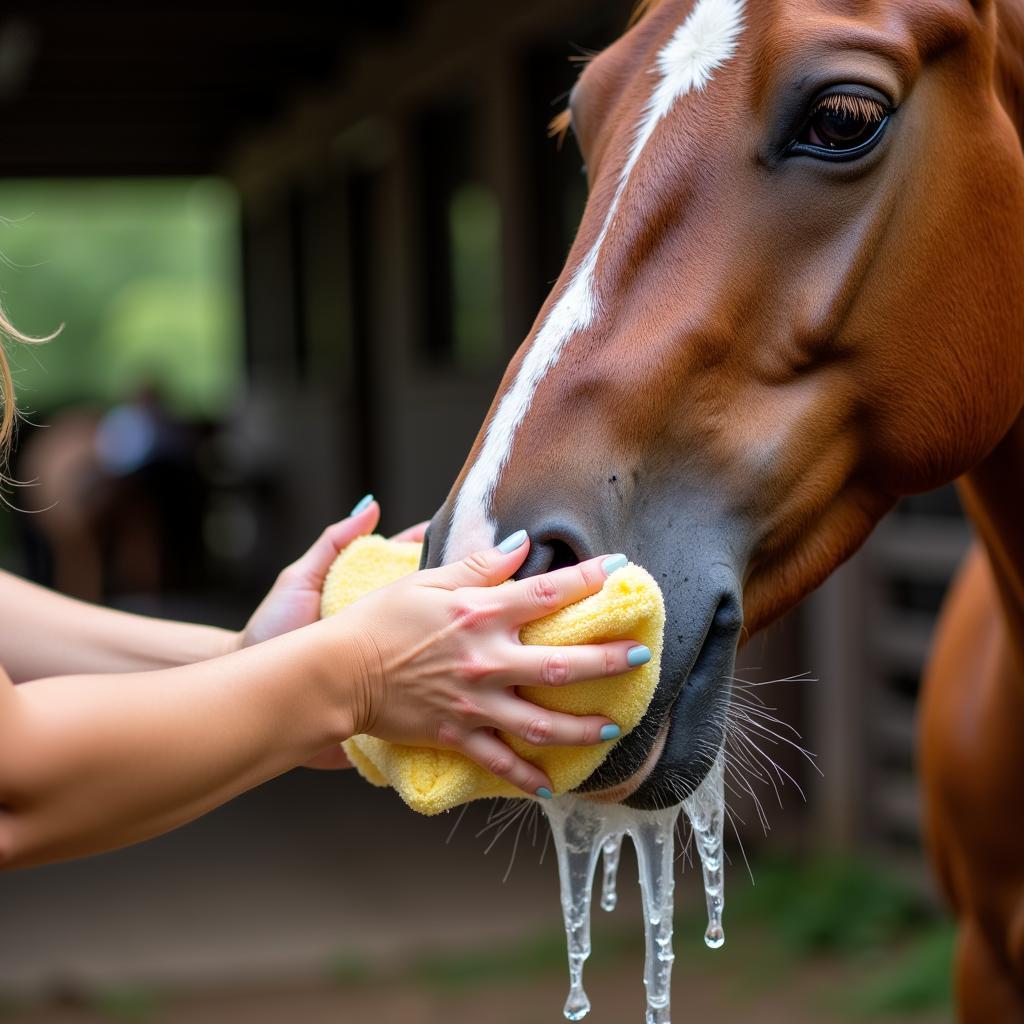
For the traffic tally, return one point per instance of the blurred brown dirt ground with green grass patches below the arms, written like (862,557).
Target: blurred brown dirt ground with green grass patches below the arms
(276,911)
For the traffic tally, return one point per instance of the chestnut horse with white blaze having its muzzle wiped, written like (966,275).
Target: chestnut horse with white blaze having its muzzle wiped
(795,296)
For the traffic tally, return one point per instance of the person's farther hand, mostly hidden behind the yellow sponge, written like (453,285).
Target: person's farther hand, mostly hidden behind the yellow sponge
(294,601)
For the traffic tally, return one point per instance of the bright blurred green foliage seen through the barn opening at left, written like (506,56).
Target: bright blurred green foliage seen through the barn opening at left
(142,276)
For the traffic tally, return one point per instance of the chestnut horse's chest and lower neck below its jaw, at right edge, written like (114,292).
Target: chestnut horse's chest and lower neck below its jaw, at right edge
(972,744)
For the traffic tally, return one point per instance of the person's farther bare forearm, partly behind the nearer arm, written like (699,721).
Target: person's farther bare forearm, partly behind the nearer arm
(47,634)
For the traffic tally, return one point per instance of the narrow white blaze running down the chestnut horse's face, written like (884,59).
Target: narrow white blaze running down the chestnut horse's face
(704,42)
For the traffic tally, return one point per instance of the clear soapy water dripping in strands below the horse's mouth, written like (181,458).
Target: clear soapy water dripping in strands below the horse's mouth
(584,829)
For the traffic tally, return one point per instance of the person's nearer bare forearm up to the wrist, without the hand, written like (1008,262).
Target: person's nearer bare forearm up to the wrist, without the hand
(90,764)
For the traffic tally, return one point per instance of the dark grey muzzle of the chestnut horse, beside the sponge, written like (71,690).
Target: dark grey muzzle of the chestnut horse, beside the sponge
(698,561)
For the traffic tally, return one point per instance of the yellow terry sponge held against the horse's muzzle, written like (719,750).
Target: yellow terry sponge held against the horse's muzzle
(629,607)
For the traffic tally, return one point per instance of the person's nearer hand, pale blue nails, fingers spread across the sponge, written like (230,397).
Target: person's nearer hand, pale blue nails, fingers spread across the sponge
(441,660)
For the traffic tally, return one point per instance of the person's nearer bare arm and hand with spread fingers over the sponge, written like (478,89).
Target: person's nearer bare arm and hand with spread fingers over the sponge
(91,763)
